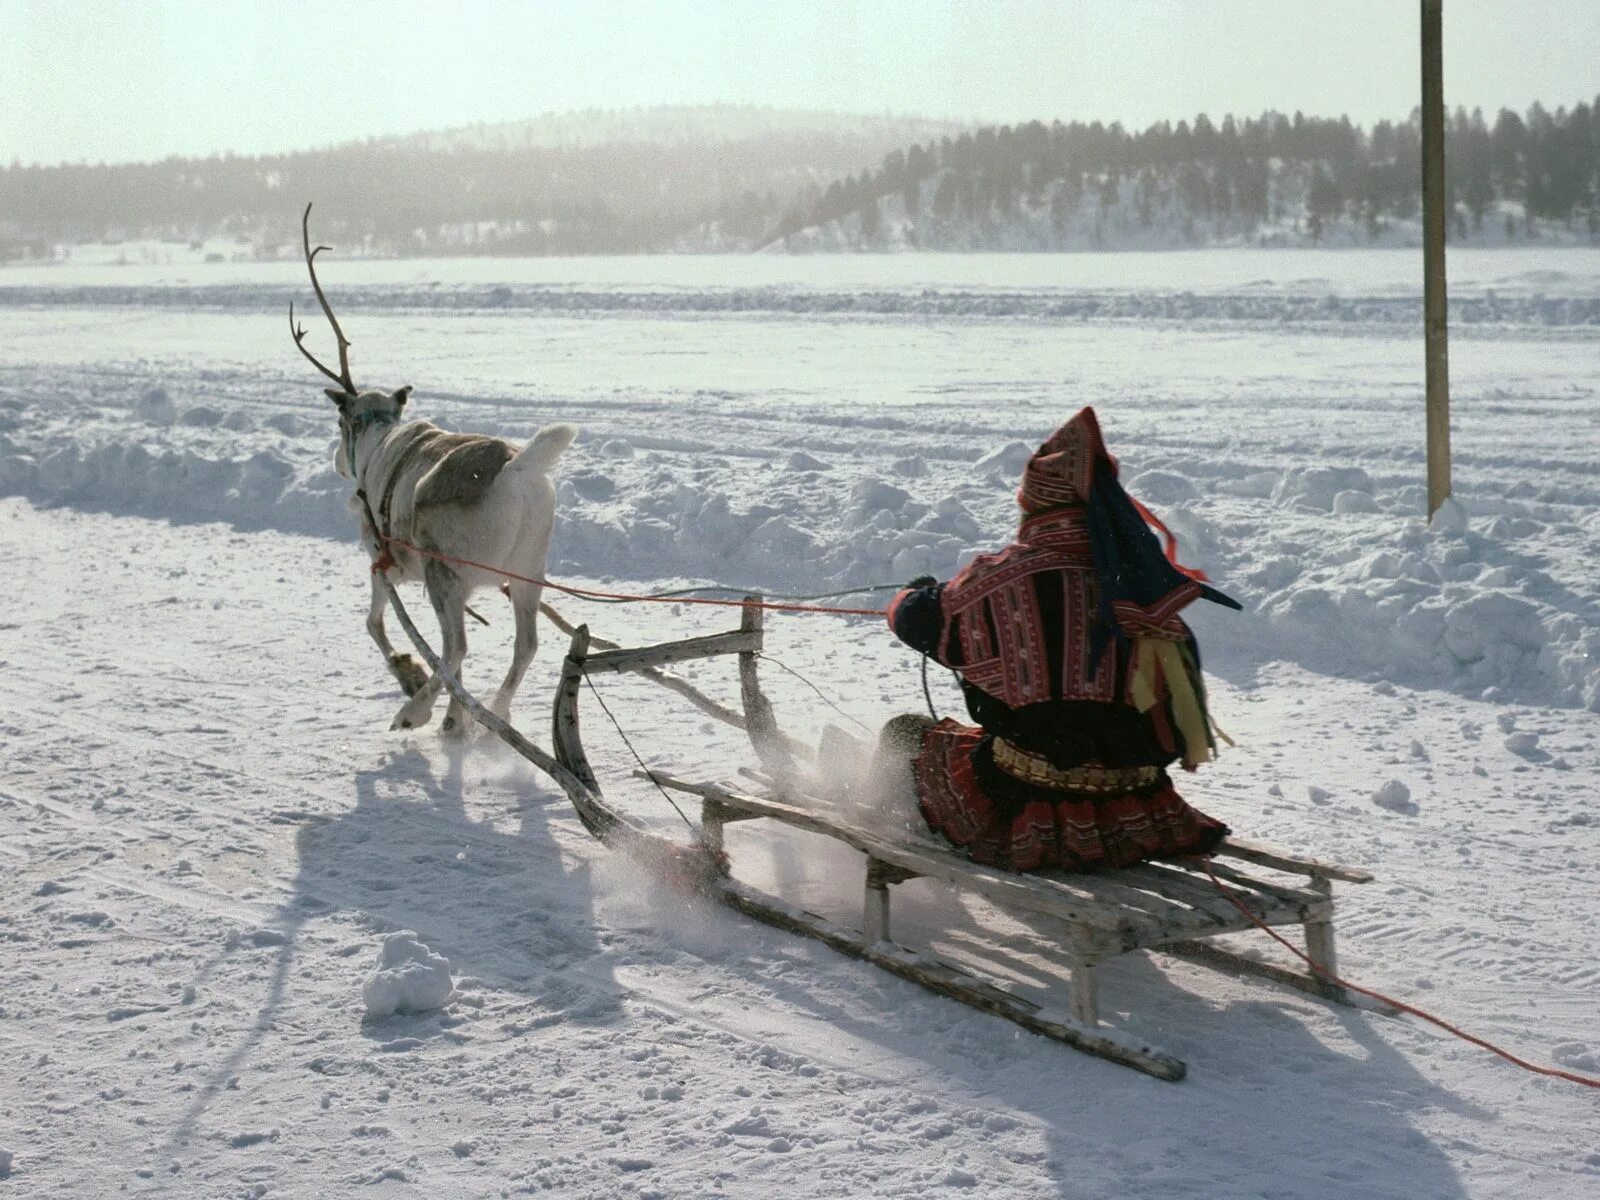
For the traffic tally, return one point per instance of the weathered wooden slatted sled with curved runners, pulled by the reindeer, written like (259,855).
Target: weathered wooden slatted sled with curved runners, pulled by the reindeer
(1159,906)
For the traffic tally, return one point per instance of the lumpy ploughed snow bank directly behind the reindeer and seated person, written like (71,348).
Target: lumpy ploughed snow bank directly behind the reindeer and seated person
(1346,578)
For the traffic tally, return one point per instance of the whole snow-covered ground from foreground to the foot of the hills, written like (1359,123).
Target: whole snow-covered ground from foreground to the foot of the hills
(207,830)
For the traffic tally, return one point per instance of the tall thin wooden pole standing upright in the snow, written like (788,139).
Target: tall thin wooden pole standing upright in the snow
(1434,306)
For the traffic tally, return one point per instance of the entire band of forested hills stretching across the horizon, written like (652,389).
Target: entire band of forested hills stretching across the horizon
(705,180)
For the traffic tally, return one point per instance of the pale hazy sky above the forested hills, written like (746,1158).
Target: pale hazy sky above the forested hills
(127,81)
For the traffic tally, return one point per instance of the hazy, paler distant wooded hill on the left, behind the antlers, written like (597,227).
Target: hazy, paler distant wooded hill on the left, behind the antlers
(463,193)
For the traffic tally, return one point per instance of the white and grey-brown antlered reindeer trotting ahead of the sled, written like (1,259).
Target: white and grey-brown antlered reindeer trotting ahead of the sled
(458,495)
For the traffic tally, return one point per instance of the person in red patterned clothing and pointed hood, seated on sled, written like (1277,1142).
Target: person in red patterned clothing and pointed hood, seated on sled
(1081,674)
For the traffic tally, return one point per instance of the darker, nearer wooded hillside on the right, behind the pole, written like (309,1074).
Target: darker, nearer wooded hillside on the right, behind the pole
(1046,186)
